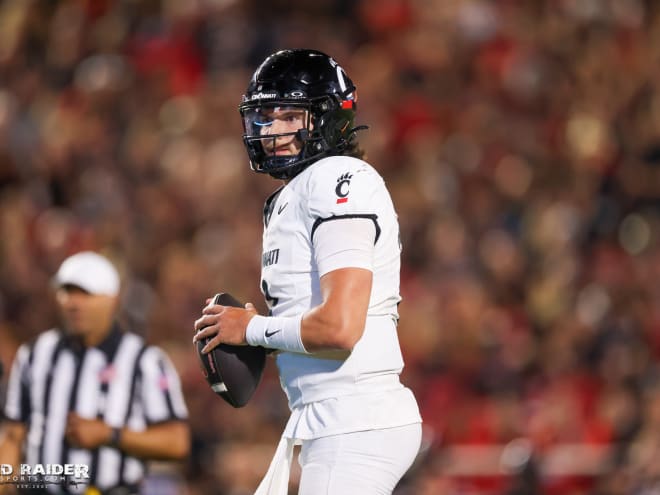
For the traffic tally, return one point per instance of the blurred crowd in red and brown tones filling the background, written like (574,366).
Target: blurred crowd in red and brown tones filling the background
(520,142)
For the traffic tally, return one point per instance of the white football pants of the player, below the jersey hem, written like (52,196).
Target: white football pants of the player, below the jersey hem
(361,463)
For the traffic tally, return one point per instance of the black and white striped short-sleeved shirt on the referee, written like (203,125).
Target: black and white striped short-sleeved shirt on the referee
(122,381)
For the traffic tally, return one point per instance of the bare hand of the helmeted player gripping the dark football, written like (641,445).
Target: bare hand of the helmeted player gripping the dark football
(225,324)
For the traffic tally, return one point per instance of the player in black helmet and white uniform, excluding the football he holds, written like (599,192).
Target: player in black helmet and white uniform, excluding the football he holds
(330,276)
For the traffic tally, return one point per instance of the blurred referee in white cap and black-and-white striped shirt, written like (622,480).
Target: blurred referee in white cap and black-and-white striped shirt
(90,397)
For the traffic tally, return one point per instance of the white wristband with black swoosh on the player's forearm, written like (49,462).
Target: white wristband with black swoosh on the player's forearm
(276,332)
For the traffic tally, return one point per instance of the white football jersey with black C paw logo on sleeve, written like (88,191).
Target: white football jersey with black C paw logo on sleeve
(335,189)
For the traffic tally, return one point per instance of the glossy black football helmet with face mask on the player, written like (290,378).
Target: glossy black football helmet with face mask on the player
(300,80)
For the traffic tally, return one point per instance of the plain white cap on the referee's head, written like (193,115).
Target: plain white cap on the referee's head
(91,272)
